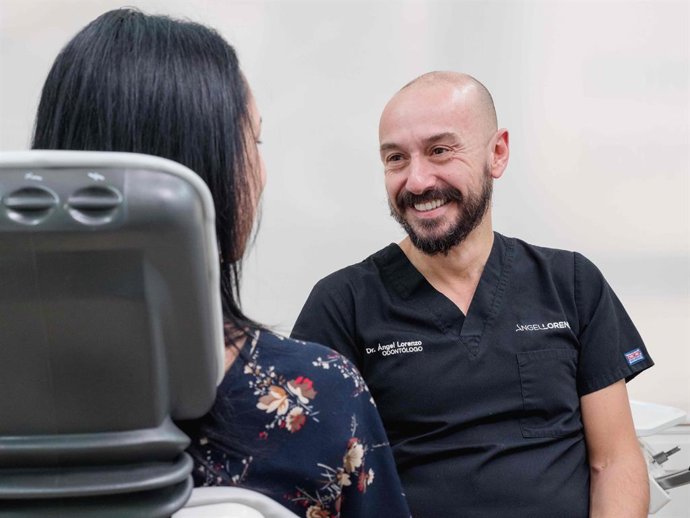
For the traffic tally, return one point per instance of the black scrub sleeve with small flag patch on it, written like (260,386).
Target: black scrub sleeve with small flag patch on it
(610,347)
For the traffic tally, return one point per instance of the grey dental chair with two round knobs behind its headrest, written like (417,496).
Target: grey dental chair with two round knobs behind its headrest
(110,331)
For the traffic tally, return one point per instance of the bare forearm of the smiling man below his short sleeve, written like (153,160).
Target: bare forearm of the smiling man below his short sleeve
(619,484)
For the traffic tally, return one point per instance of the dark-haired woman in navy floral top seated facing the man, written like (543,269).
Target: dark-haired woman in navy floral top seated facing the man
(293,420)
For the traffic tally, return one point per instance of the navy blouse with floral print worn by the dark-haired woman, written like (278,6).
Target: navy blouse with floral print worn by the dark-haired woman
(295,421)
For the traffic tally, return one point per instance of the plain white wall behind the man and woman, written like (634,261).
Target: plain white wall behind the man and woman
(595,95)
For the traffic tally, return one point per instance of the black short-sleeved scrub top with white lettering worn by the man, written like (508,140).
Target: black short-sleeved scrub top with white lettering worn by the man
(483,410)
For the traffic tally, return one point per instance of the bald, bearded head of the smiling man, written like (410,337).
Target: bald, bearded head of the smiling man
(441,150)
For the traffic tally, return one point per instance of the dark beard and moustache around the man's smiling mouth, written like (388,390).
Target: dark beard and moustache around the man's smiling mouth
(472,210)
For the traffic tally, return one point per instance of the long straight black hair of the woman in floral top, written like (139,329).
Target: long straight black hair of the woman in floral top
(150,84)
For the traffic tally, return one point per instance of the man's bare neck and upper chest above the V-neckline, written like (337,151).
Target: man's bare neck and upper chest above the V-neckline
(456,274)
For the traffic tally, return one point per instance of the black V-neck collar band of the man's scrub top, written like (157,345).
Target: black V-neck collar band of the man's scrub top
(401,277)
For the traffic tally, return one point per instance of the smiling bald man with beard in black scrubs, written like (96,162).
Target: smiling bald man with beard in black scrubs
(498,367)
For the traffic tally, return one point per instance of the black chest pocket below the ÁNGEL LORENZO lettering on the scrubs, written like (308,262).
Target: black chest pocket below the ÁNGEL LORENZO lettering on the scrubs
(549,393)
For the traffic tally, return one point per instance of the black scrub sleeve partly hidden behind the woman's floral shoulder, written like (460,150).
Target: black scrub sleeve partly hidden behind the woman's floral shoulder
(326,319)
